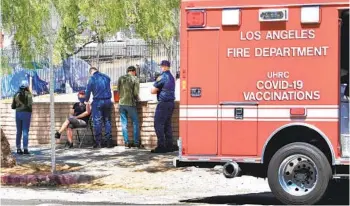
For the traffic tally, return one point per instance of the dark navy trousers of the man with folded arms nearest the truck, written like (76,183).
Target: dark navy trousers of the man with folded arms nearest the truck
(162,123)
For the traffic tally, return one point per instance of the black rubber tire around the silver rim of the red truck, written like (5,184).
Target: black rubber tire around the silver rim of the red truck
(323,176)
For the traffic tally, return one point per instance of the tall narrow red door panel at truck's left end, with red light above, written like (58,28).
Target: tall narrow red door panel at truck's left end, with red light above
(202,84)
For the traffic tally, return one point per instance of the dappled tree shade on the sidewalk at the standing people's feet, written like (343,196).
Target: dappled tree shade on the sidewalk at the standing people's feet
(99,158)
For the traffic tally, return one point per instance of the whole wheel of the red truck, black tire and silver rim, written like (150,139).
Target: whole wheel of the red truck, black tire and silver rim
(299,173)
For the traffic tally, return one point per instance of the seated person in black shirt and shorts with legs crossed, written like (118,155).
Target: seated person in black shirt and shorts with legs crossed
(79,118)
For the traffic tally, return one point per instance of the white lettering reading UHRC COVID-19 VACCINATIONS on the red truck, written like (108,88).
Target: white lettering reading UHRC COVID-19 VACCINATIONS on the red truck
(282,89)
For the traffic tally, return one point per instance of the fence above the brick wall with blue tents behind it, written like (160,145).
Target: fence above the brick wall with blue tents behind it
(112,58)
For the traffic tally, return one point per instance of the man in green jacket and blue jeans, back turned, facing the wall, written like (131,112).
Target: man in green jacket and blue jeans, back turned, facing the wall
(128,88)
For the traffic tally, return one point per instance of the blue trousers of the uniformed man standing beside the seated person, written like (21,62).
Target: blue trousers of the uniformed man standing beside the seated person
(101,113)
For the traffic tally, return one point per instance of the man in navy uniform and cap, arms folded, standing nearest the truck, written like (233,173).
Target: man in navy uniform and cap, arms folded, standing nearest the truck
(164,87)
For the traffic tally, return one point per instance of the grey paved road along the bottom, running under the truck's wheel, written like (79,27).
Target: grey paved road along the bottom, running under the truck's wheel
(50,196)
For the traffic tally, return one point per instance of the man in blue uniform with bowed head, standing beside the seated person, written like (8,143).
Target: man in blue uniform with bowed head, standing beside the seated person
(99,86)
